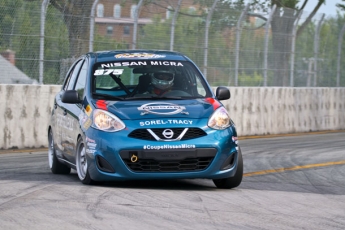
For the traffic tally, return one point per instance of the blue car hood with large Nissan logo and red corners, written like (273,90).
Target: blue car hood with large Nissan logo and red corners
(147,109)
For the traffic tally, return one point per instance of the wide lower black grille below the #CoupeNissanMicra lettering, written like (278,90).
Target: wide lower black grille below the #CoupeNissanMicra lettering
(150,165)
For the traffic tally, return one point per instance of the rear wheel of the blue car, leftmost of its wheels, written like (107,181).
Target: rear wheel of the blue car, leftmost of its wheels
(54,164)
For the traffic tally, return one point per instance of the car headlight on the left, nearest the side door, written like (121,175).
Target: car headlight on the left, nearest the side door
(106,121)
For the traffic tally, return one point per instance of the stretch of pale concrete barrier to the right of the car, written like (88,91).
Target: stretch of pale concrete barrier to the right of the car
(275,110)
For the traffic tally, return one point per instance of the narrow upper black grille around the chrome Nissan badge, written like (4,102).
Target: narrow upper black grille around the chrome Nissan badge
(144,134)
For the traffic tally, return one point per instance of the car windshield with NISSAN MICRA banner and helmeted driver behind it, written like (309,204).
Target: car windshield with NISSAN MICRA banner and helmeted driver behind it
(142,79)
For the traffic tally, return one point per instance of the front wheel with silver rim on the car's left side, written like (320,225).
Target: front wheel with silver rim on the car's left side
(82,164)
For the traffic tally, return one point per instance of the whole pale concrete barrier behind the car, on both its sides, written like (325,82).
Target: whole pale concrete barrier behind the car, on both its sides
(25,111)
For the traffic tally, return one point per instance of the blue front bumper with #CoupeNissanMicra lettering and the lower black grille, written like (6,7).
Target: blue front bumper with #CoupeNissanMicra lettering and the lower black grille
(115,156)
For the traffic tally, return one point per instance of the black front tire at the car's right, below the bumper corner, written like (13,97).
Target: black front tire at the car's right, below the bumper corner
(232,182)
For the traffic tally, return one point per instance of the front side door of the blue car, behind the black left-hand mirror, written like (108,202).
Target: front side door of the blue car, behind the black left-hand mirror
(72,111)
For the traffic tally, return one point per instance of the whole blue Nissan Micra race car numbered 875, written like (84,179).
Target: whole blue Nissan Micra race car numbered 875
(142,114)
